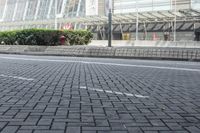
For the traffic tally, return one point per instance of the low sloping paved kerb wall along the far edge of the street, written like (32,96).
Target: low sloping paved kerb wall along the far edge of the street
(114,52)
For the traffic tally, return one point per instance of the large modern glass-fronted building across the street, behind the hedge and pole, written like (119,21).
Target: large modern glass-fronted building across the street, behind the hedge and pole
(132,19)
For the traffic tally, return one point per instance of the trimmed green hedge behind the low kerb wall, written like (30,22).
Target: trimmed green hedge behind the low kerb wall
(44,37)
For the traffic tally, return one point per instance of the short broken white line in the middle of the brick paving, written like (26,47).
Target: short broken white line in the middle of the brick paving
(114,92)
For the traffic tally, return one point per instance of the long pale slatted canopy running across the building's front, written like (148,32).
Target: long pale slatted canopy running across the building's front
(188,15)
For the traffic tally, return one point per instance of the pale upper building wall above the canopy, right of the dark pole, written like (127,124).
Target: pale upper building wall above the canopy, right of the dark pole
(128,6)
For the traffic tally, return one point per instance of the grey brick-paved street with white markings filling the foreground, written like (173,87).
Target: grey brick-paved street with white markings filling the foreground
(88,95)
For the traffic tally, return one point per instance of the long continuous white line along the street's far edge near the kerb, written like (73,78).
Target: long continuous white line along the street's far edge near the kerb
(102,63)
